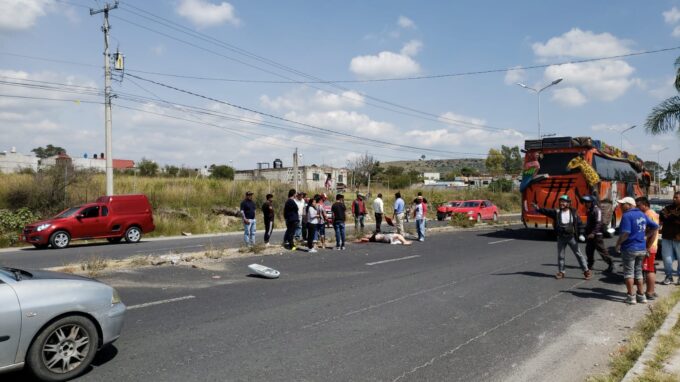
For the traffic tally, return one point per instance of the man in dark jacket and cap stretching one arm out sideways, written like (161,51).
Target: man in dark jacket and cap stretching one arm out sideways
(567,225)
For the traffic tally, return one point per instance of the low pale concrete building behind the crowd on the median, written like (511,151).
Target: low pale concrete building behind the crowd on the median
(311,177)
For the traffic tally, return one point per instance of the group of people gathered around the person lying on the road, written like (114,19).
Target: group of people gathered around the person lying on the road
(306,219)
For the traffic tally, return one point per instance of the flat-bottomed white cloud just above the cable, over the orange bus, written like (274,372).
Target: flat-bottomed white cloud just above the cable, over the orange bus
(582,44)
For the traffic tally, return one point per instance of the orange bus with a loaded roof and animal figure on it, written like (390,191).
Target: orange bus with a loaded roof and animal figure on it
(577,167)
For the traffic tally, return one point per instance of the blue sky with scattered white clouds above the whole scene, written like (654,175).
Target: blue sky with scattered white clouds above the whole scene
(243,50)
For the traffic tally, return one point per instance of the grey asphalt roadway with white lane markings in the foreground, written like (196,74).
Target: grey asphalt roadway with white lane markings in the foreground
(461,306)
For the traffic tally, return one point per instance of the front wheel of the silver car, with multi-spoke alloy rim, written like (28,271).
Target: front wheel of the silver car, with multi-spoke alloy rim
(74,339)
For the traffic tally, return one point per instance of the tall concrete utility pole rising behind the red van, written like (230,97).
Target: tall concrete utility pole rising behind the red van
(107,94)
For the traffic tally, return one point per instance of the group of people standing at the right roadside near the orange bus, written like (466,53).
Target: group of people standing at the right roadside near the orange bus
(637,242)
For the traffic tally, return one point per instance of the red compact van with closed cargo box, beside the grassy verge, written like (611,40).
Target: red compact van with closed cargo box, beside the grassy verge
(110,217)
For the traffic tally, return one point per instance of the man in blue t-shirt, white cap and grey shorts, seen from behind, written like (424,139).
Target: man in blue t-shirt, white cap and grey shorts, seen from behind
(635,228)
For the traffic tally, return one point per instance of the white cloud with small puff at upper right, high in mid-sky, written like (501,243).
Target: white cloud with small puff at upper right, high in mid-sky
(388,64)
